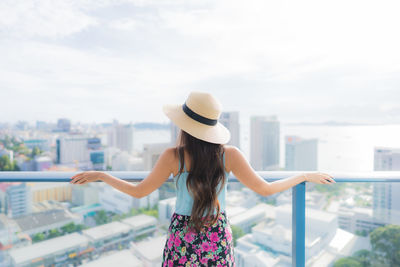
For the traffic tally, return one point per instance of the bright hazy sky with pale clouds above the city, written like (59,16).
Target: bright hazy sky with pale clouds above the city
(99,60)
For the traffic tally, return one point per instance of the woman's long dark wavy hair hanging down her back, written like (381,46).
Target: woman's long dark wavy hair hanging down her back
(206,172)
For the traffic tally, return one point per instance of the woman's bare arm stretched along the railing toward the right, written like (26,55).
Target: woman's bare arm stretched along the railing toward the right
(242,170)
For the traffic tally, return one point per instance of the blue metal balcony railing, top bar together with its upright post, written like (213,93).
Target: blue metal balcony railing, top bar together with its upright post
(298,196)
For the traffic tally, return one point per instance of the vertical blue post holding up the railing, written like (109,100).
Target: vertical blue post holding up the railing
(298,224)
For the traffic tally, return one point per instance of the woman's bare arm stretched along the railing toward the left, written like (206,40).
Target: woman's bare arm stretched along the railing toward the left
(160,173)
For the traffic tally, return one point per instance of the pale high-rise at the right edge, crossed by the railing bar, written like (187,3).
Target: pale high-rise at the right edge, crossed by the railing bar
(386,197)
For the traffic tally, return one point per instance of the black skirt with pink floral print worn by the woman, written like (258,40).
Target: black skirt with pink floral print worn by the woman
(184,247)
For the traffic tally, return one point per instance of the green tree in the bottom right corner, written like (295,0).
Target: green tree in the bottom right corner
(385,242)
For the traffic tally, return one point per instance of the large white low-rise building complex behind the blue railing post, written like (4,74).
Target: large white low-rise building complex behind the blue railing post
(275,237)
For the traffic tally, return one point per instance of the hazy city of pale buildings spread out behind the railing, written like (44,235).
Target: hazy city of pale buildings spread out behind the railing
(60,224)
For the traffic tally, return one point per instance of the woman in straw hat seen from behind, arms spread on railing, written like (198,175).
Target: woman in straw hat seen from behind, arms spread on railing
(199,233)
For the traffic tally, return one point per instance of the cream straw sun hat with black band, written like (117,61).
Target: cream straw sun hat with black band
(198,116)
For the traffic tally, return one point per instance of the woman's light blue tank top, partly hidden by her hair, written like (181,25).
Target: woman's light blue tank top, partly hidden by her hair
(184,200)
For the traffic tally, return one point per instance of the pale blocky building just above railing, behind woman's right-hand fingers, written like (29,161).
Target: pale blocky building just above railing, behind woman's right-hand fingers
(301,154)
